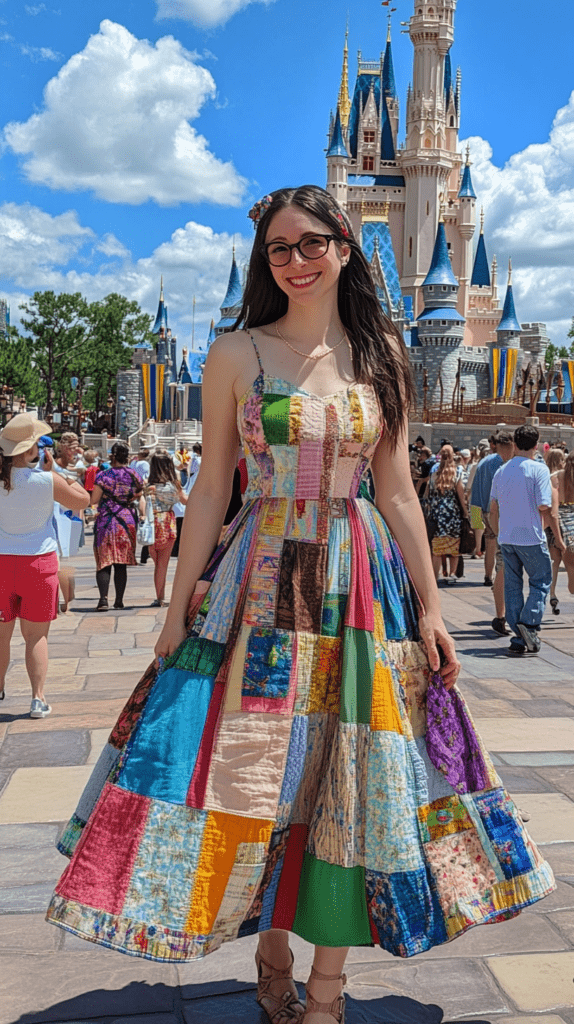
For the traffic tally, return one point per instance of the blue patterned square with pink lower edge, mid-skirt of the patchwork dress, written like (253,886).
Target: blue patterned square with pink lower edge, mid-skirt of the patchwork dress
(269,664)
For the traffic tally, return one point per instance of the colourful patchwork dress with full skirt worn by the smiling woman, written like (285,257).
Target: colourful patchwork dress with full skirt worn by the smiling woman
(294,765)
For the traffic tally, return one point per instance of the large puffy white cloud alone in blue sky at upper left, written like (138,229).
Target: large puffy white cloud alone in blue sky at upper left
(116,121)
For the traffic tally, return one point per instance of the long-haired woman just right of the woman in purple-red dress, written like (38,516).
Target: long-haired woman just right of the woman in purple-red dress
(165,491)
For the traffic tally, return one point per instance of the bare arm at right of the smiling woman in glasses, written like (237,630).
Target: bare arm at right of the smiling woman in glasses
(399,504)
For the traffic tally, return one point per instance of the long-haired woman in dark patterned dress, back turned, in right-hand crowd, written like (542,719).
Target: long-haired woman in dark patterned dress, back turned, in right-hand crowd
(447,498)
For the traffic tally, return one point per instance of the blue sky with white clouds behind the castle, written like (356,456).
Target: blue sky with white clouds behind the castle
(137,135)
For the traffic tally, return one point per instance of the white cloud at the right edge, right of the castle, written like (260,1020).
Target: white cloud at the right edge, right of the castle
(529,217)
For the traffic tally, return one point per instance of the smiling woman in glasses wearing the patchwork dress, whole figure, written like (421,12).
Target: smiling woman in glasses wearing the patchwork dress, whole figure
(275,752)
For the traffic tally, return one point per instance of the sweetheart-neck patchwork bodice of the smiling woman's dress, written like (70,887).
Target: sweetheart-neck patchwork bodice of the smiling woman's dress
(302,446)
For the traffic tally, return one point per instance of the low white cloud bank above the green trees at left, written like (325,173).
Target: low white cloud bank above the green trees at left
(196,262)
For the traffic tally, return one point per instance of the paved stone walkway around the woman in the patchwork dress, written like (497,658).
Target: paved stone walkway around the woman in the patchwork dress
(521,971)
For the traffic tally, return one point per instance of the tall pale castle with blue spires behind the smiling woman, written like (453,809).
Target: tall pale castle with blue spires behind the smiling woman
(414,207)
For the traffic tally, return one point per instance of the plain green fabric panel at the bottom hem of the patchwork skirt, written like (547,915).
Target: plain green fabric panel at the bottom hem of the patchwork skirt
(332,906)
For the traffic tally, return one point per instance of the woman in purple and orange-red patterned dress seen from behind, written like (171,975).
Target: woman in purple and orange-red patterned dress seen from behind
(117,496)
